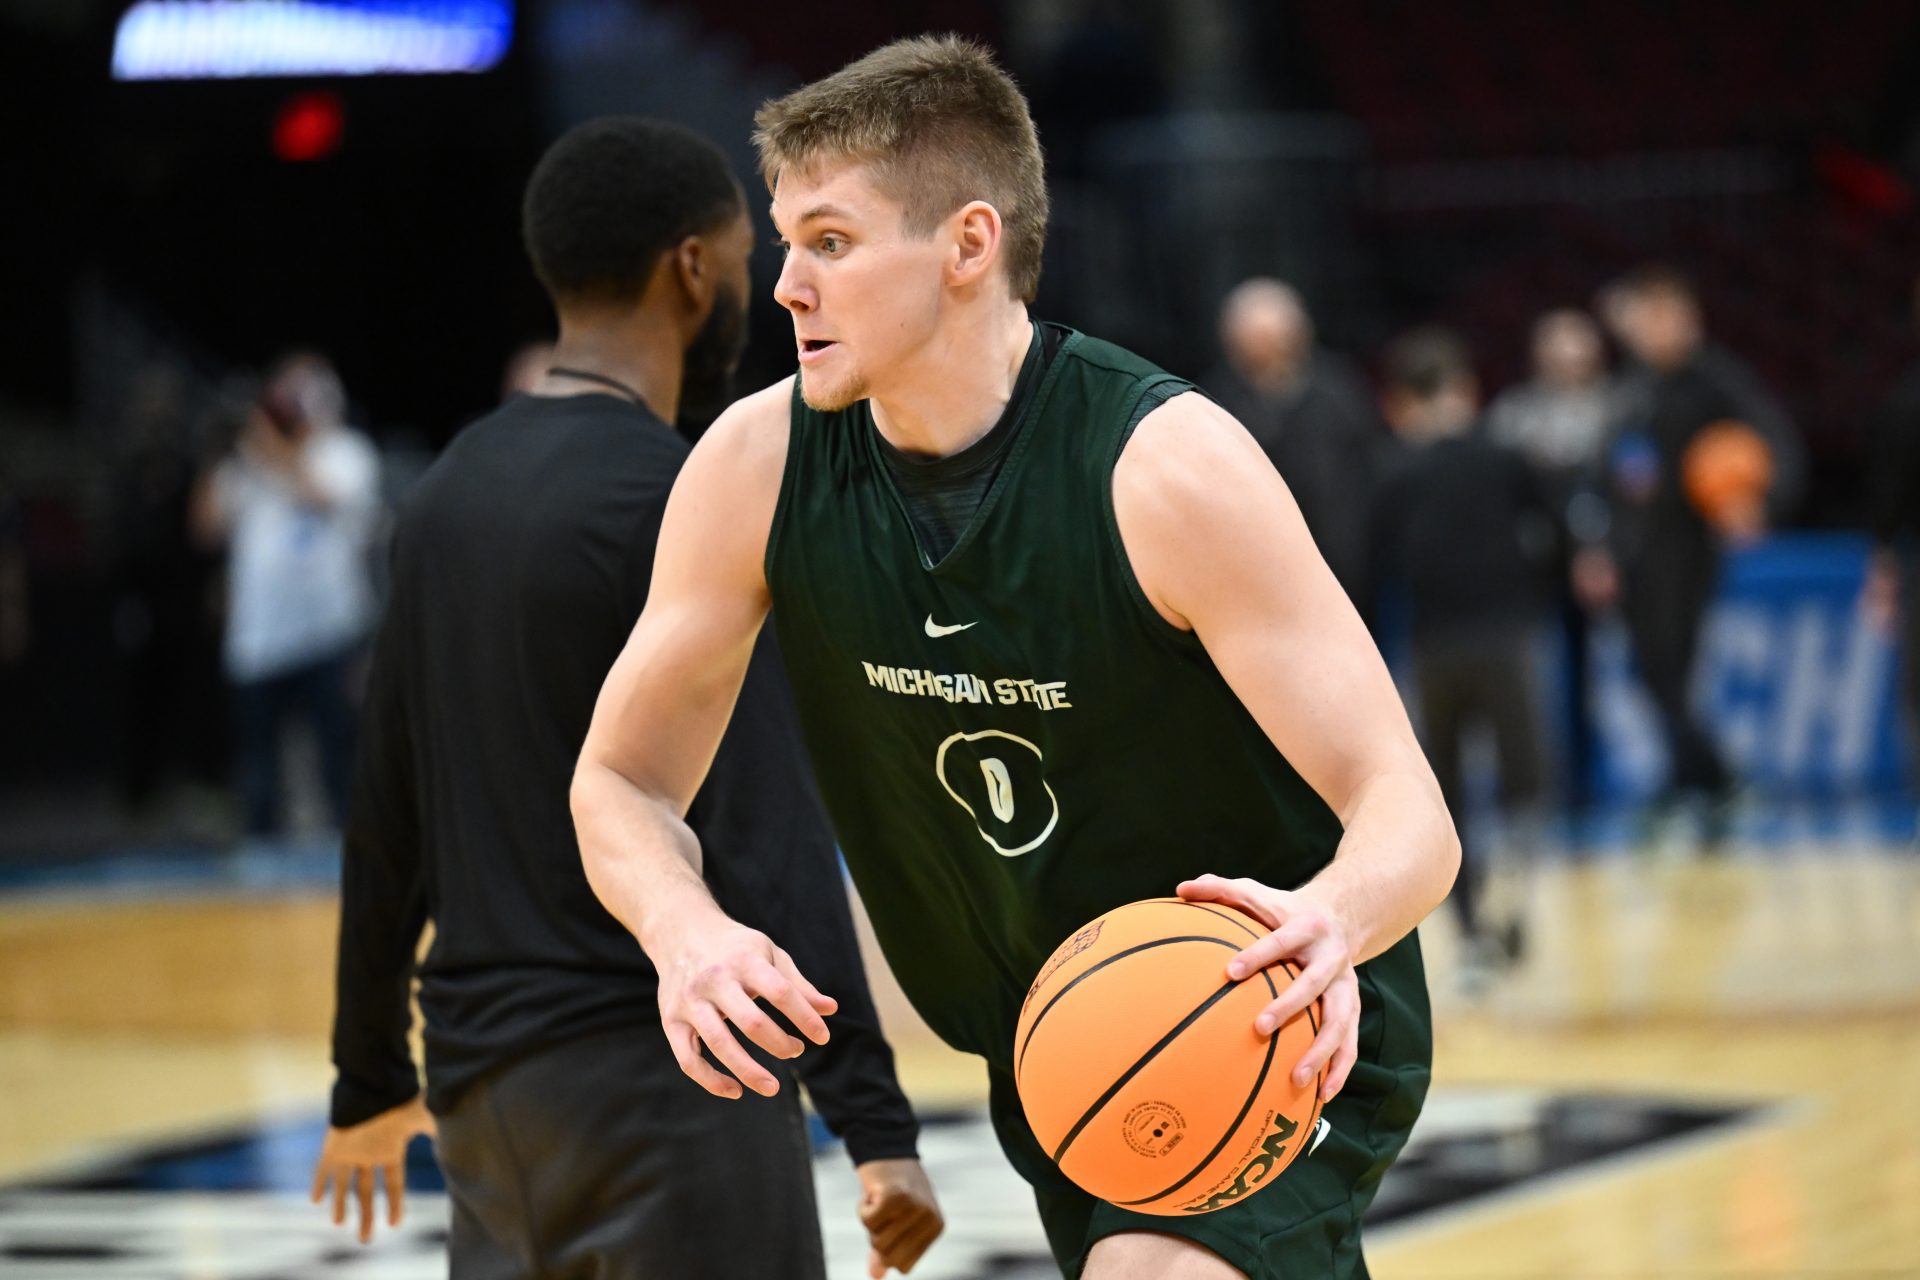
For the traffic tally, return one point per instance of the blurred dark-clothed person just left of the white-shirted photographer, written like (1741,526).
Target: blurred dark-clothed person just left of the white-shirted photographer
(162,621)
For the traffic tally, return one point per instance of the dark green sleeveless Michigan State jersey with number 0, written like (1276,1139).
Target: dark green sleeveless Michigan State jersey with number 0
(1013,742)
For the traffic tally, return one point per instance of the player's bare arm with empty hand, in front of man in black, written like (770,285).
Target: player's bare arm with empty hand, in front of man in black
(654,738)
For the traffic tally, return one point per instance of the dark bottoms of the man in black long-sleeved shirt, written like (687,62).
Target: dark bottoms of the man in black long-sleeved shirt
(598,1158)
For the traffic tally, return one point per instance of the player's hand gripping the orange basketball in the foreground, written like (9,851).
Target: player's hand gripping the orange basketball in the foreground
(1316,943)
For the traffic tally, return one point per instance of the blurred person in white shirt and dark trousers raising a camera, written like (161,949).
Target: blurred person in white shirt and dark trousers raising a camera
(297,502)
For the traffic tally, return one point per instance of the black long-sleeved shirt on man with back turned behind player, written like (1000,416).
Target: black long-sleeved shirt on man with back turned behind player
(521,563)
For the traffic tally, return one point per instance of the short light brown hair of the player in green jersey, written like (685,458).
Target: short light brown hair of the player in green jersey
(940,124)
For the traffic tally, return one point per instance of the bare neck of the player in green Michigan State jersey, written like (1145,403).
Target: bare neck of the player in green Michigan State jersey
(957,387)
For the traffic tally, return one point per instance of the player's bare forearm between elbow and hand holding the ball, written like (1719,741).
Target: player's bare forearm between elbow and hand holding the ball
(1395,865)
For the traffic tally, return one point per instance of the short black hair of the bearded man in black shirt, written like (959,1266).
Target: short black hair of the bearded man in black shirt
(612,197)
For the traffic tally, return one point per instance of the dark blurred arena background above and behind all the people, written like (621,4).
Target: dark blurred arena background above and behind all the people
(1470,164)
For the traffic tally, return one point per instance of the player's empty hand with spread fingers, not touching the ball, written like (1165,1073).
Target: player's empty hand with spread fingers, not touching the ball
(713,970)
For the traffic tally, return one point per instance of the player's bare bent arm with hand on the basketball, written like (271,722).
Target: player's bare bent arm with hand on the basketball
(1220,550)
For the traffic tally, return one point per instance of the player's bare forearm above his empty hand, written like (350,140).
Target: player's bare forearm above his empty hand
(640,857)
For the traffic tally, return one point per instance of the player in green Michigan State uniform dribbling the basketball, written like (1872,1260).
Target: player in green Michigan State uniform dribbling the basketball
(1059,640)
